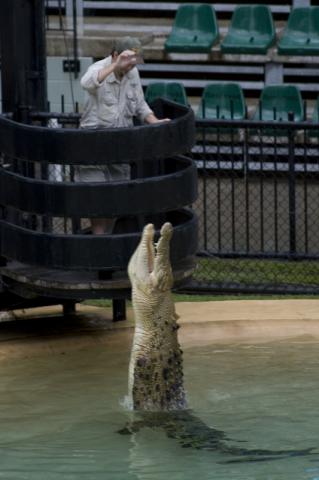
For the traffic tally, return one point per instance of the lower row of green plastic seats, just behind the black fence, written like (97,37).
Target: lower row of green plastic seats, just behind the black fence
(227,101)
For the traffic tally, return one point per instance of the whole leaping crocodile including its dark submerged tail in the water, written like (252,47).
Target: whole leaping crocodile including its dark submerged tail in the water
(156,387)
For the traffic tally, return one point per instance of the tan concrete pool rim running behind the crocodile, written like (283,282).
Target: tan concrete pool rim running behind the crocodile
(27,333)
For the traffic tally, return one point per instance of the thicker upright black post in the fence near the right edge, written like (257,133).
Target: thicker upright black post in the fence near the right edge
(292,188)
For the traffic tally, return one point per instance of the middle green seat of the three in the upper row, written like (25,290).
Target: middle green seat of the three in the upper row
(251,30)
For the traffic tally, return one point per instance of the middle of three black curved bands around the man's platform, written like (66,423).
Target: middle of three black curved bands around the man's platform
(62,199)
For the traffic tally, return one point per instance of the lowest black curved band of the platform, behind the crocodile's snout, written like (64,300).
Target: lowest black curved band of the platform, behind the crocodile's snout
(86,251)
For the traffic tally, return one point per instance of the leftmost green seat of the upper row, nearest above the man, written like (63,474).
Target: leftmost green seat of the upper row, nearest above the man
(195,29)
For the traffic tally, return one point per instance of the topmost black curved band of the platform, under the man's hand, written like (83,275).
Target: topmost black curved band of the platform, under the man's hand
(88,146)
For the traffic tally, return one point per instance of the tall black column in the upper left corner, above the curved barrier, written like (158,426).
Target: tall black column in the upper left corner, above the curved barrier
(23,61)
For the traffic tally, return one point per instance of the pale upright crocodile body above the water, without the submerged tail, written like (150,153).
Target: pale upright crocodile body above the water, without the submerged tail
(155,370)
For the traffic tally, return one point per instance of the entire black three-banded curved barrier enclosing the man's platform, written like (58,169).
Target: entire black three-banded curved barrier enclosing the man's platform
(41,213)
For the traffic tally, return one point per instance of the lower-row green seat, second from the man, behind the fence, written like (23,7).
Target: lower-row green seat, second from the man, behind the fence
(223,101)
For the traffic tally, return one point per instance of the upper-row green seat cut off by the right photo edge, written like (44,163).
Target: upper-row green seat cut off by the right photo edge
(301,36)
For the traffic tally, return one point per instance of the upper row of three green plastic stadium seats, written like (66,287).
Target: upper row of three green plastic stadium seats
(251,31)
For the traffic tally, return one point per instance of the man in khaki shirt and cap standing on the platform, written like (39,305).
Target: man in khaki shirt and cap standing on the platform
(115,97)
